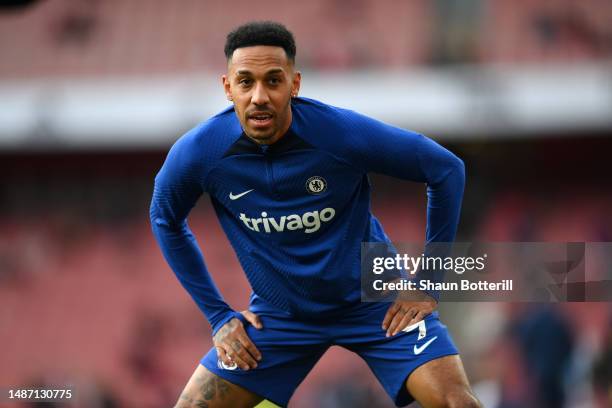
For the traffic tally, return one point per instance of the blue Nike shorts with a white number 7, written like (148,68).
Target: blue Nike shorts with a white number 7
(291,347)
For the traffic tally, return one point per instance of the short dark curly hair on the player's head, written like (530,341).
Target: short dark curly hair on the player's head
(260,33)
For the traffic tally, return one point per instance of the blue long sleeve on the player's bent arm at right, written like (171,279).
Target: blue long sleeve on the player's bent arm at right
(389,150)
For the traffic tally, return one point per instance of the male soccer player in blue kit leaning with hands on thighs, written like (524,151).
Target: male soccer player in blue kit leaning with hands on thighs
(287,177)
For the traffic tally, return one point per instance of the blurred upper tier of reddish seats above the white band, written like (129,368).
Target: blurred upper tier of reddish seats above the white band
(109,38)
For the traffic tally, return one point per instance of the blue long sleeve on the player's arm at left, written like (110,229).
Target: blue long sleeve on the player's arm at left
(178,186)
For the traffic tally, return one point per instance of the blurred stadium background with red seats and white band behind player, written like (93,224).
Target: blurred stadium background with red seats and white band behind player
(93,93)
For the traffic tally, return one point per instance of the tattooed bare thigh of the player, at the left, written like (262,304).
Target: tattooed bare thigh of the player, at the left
(207,390)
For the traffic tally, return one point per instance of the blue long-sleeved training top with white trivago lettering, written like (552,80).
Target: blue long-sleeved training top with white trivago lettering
(297,211)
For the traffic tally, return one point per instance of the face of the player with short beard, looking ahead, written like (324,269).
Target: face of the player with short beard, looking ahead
(261,81)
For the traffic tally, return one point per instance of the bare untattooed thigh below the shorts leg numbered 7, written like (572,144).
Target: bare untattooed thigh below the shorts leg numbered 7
(440,383)
